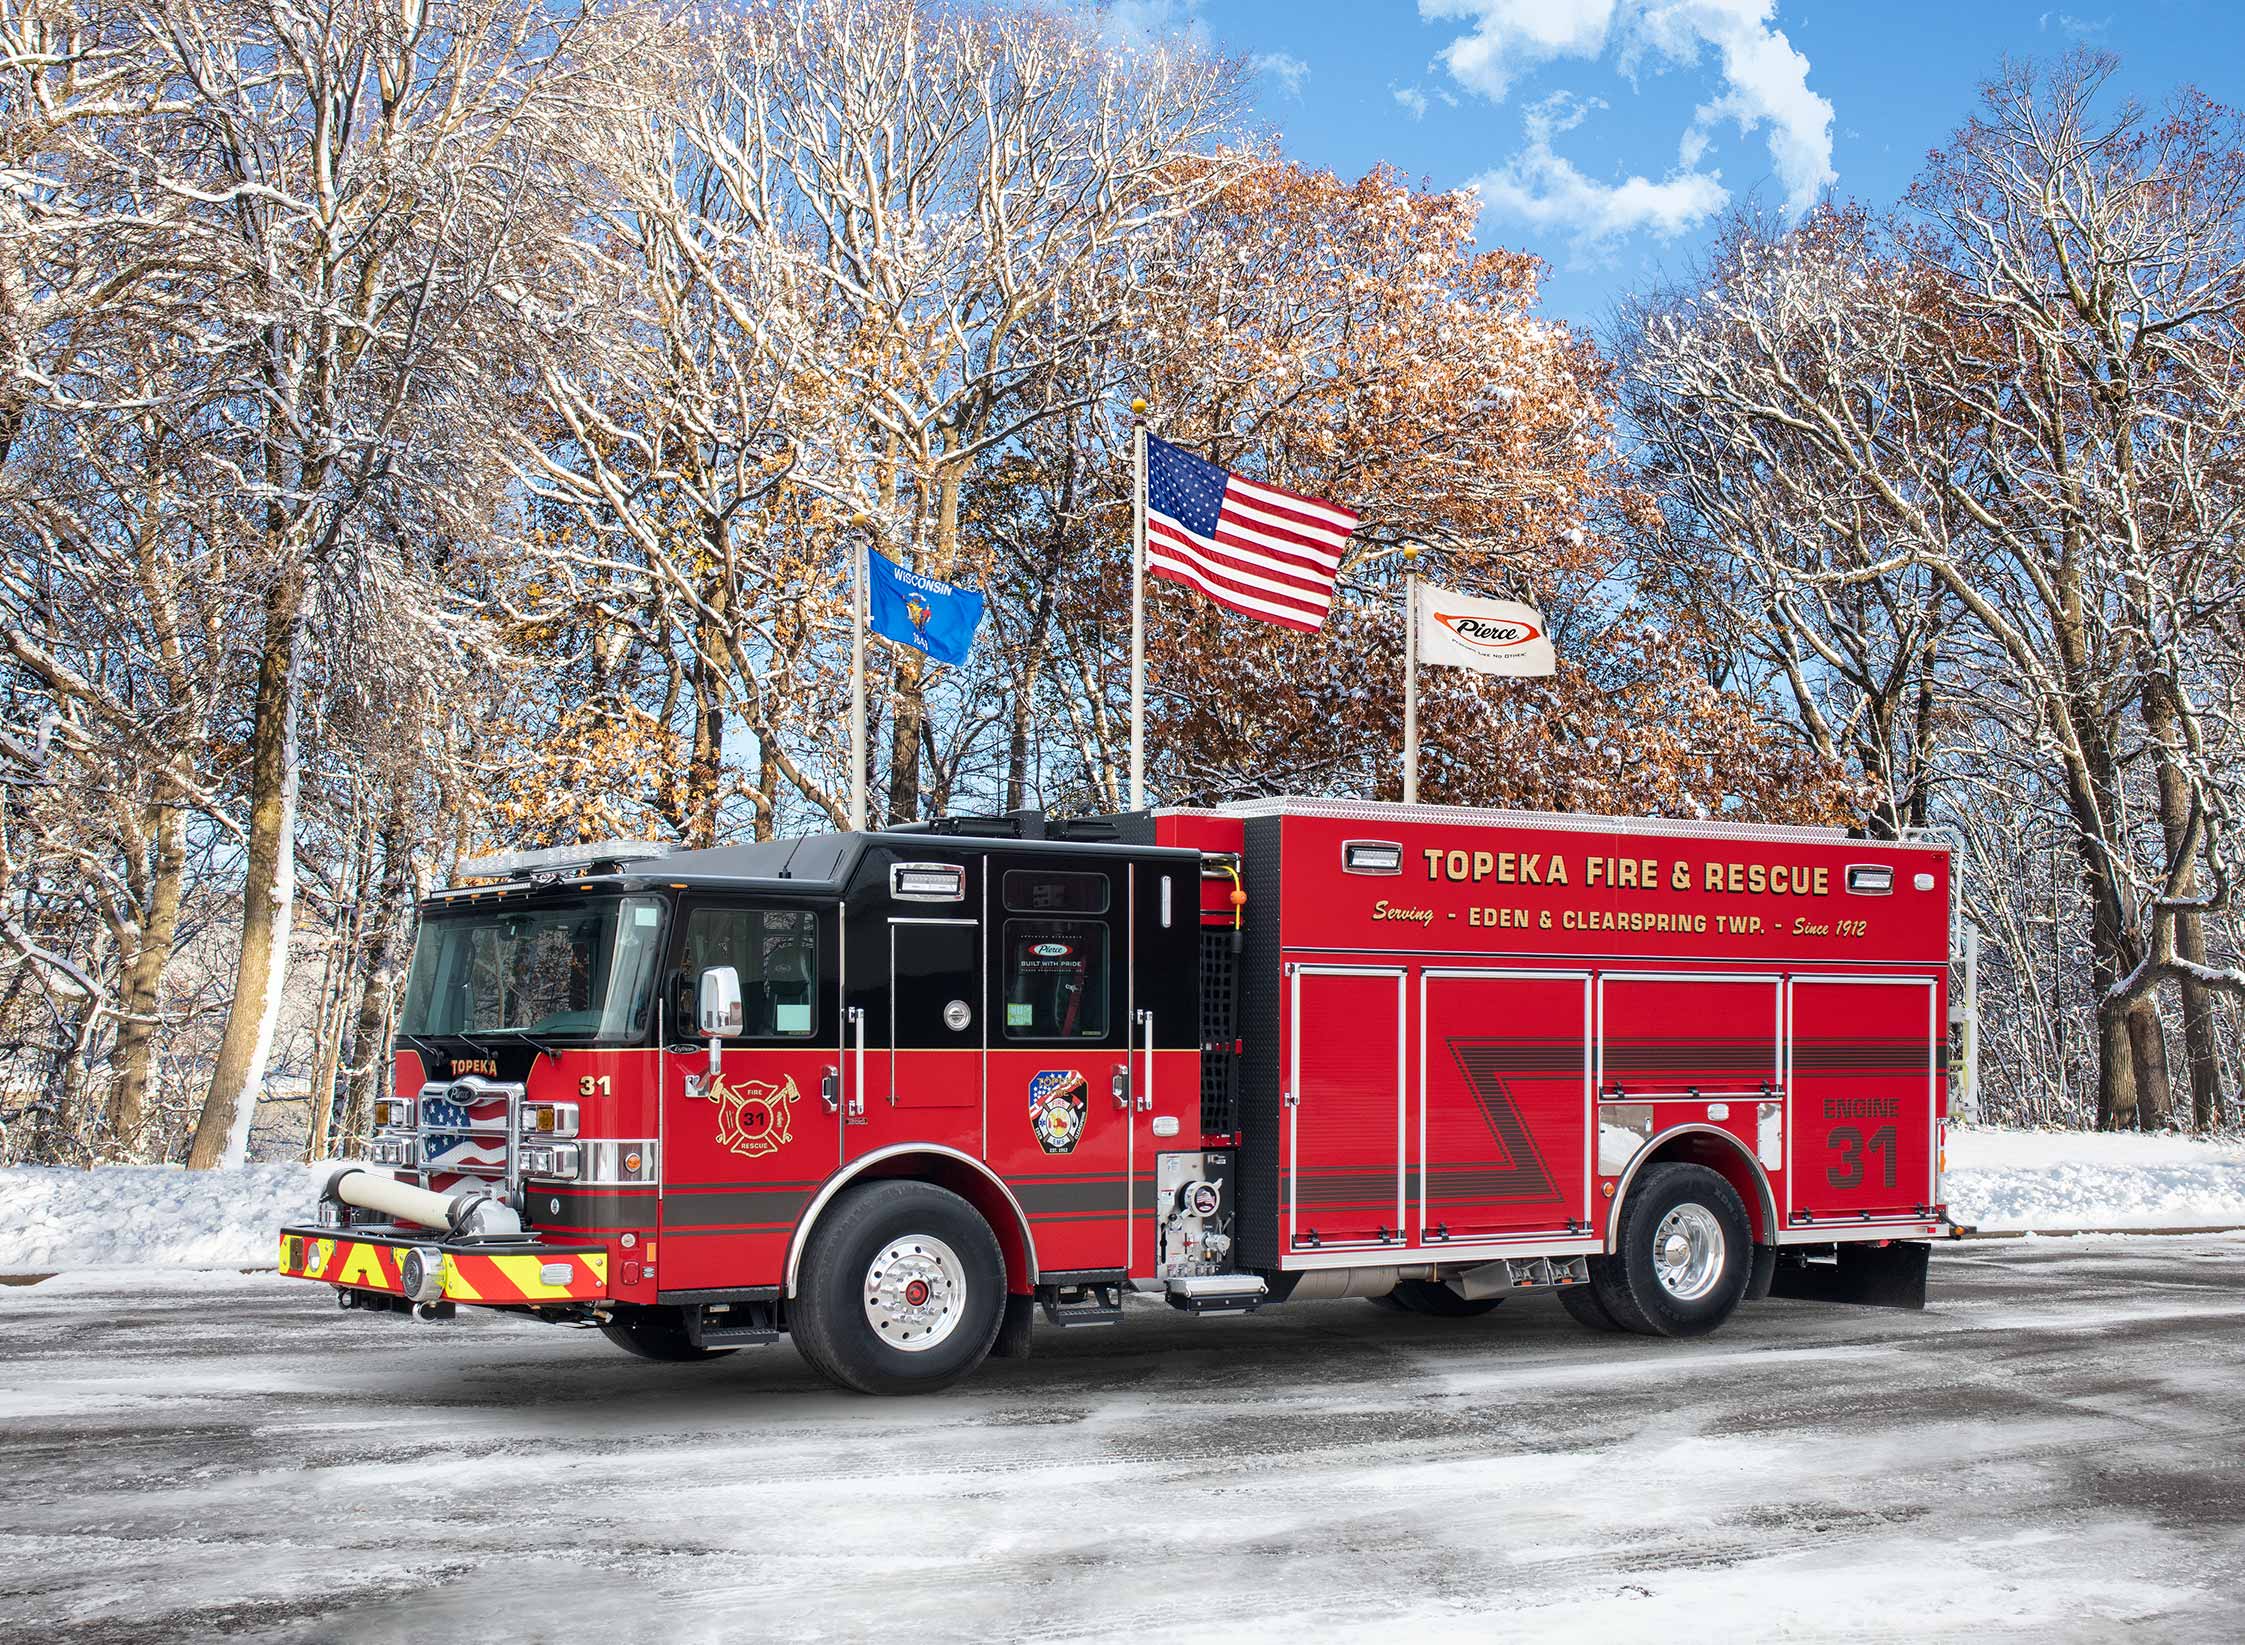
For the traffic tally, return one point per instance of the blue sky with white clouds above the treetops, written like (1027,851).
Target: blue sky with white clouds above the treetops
(1606,134)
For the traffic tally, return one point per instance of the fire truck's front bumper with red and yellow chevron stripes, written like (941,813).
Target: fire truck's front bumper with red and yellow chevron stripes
(416,1267)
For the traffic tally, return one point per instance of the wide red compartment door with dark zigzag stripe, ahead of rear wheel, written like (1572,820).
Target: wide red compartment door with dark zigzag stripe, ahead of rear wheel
(1503,1103)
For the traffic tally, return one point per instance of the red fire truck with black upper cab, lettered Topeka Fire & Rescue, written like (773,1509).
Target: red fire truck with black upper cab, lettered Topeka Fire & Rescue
(897,1092)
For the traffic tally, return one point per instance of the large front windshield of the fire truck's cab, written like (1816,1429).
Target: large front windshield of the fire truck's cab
(565,971)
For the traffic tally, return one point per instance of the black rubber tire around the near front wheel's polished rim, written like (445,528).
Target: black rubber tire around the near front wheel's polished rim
(827,1318)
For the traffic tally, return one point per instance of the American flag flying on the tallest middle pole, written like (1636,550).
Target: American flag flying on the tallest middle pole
(1247,546)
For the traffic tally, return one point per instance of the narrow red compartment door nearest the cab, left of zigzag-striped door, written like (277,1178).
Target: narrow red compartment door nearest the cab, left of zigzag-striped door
(1346,1090)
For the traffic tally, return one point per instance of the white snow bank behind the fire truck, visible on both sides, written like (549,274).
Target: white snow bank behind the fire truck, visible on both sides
(152,1215)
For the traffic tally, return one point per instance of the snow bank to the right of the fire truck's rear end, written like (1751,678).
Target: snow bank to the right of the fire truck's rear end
(2087,1179)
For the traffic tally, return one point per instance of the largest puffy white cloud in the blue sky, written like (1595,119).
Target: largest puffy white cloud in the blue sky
(1766,84)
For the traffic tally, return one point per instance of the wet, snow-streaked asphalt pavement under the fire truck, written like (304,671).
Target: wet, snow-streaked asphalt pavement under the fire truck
(2053,1451)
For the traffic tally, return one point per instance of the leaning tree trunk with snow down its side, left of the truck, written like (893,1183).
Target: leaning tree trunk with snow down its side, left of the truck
(268,888)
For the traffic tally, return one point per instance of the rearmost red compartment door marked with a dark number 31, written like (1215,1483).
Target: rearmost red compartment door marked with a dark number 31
(1864,1094)
